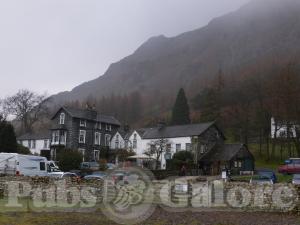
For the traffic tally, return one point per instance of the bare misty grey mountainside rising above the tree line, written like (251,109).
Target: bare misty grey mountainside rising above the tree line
(260,35)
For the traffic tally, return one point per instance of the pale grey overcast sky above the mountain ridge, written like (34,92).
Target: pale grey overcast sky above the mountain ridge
(54,45)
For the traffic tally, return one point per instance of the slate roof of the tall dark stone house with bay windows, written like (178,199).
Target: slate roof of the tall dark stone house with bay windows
(90,115)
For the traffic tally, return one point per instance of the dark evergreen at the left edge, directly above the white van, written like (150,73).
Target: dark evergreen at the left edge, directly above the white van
(8,142)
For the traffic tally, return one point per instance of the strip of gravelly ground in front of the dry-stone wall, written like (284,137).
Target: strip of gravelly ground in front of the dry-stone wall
(160,217)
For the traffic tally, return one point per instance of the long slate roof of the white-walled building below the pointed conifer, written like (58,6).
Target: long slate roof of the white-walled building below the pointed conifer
(176,131)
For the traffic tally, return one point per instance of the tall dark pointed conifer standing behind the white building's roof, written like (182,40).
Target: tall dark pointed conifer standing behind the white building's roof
(181,111)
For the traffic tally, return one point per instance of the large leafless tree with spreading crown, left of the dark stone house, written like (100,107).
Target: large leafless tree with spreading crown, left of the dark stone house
(26,106)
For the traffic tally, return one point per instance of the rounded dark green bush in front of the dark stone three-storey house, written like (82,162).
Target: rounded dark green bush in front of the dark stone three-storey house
(69,159)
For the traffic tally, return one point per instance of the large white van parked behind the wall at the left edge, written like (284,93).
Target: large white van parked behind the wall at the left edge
(27,165)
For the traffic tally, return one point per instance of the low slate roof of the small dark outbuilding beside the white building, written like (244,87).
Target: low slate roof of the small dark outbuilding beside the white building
(224,153)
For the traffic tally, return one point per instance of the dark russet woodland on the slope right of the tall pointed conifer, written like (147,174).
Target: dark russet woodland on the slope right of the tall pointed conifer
(244,109)
